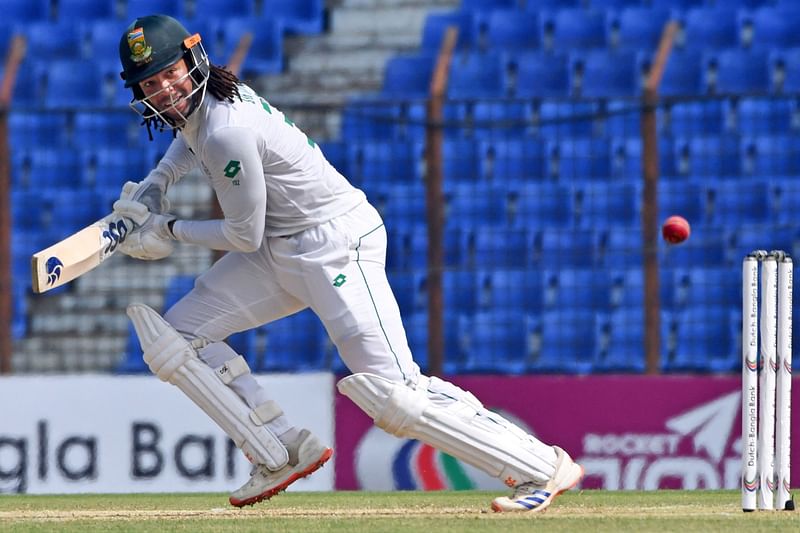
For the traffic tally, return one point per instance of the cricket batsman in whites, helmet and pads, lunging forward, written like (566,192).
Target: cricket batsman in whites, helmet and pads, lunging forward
(298,235)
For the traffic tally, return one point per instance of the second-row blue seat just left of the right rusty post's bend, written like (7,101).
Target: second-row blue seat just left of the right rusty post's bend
(604,74)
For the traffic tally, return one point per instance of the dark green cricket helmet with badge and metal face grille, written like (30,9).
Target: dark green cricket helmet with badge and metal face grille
(149,45)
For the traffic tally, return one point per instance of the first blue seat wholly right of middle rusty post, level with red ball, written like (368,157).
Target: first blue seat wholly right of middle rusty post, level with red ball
(496,247)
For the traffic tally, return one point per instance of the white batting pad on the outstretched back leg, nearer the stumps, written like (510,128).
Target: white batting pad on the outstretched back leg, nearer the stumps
(453,420)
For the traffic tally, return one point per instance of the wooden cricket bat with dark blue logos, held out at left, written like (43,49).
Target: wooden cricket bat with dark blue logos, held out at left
(79,253)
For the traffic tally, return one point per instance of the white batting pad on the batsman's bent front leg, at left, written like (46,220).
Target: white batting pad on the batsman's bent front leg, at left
(173,359)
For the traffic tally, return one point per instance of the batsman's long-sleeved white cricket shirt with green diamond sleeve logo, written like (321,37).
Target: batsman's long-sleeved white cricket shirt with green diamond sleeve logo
(269,177)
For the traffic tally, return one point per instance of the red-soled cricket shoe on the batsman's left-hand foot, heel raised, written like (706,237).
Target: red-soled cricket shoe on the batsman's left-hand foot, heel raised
(306,455)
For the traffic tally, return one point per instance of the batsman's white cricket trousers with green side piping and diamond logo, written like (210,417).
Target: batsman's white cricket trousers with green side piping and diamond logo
(337,269)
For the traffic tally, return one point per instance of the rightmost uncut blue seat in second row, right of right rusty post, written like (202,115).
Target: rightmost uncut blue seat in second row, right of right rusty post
(739,71)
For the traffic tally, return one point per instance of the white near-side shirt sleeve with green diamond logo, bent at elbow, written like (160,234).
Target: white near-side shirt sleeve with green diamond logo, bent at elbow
(233,161)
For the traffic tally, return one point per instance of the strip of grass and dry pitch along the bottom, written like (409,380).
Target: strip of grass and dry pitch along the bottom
(418,512)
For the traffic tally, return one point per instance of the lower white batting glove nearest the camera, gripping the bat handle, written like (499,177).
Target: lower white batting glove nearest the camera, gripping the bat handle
(151,237)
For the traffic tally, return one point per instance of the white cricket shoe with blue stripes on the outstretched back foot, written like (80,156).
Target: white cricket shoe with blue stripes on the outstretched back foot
(535,497)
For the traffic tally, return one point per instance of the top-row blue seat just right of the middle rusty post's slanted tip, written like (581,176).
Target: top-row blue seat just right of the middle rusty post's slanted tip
(510,29)
